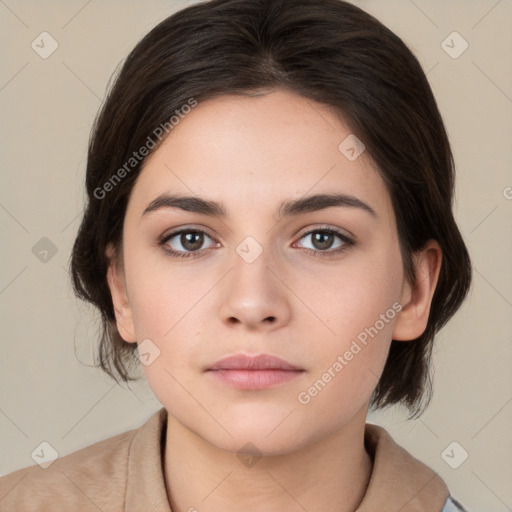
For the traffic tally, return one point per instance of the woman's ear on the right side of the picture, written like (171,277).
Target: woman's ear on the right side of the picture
(416,297)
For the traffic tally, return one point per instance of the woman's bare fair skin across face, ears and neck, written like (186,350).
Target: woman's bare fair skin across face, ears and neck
(251,154)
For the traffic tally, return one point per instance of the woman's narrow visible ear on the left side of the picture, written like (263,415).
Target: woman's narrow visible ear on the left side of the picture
(117,284)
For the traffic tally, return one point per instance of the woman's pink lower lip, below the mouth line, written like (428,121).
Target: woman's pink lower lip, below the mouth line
(254,379)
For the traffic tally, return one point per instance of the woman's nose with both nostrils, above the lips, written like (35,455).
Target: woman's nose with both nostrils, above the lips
(255,298)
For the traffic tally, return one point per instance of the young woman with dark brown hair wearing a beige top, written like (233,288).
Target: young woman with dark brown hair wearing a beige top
(269,231)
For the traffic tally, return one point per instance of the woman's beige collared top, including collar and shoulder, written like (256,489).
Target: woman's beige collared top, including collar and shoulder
(125,473)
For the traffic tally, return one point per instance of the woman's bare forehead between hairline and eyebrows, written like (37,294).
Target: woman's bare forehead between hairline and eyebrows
(258,151)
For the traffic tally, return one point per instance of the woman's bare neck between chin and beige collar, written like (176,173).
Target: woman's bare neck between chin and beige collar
(330,474)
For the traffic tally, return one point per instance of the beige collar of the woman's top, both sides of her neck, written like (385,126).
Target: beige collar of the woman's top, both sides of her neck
(399,481)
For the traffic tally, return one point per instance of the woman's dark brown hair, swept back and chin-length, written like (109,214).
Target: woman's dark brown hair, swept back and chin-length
(328,51)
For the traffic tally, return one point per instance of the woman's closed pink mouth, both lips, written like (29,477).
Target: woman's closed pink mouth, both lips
(242,371)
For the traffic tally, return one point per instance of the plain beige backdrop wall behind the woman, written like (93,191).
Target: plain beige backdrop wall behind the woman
(48,391)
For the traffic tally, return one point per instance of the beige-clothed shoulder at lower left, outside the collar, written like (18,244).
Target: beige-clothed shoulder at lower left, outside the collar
(88,479)
